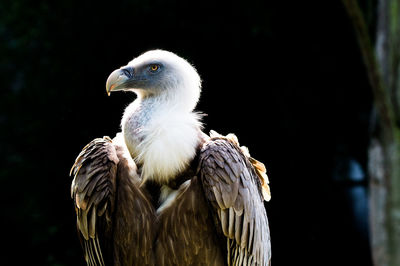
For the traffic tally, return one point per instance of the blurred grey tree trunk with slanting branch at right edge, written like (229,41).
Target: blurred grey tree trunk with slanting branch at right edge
(383,67)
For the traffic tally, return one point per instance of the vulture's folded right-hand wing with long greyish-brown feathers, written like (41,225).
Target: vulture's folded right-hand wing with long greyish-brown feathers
(234,190)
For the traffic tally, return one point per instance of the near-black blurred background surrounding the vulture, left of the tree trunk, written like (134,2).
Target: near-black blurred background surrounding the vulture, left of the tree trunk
(286,76)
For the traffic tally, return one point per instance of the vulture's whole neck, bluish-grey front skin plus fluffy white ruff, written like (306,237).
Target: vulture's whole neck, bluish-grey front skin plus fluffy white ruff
(162,136)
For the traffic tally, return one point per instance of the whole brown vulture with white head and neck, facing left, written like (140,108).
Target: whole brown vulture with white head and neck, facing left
(162,192)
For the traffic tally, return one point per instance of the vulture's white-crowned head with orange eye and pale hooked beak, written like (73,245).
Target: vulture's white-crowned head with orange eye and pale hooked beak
(158,73)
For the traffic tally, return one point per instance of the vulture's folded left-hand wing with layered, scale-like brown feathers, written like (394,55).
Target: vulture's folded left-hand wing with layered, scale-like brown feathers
(93,192)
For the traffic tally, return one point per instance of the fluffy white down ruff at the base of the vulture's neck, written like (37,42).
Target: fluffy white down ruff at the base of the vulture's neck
(169,144)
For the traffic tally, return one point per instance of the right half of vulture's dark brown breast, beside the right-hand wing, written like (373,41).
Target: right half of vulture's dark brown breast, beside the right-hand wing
(186,232)
